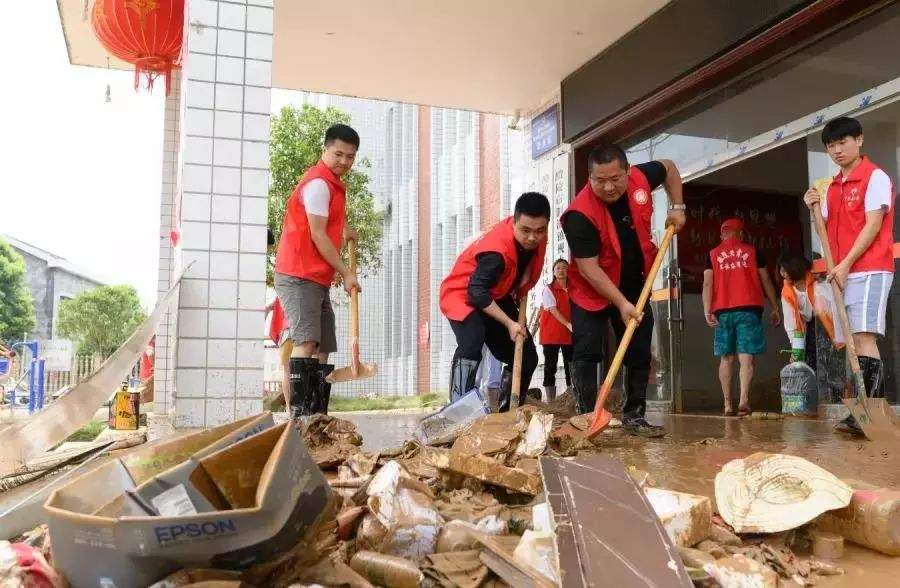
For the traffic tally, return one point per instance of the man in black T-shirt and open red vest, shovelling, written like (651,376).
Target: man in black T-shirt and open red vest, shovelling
(608,228)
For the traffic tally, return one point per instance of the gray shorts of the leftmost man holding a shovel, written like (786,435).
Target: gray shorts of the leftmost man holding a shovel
(307,307)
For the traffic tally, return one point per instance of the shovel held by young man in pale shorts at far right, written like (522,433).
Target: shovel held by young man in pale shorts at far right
(874,415)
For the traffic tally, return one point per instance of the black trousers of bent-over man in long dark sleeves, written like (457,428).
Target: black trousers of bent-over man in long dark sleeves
(478,330)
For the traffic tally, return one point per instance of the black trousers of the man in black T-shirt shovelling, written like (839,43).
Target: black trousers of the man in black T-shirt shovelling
(589,330)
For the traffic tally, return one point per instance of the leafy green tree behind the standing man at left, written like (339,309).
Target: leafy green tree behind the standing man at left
(295,144)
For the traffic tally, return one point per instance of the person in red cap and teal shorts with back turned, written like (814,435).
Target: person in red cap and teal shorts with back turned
(734,282)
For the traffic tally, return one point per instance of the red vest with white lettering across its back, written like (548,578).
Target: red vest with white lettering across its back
(736,279)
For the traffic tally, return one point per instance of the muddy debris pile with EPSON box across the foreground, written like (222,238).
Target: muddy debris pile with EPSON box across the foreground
(505,499)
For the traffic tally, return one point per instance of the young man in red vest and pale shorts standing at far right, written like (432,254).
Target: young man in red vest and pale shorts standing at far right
(859,217)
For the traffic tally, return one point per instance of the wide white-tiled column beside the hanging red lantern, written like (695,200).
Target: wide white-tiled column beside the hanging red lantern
(226,81)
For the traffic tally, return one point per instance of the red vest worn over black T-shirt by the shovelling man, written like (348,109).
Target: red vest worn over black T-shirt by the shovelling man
(587,203)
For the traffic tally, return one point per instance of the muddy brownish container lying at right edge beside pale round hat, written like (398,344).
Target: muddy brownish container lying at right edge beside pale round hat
(872,519)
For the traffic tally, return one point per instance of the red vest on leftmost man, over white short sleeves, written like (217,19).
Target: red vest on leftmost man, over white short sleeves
(297,254)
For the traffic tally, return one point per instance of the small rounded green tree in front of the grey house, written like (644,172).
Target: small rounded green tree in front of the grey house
(101,319)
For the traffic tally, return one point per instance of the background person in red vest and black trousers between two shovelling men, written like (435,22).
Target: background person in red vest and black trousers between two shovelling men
(555,323)
